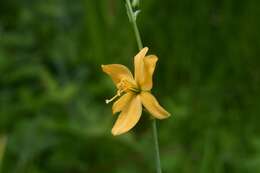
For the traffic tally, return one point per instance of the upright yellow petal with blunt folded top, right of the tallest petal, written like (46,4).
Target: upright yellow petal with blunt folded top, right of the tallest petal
(149,67)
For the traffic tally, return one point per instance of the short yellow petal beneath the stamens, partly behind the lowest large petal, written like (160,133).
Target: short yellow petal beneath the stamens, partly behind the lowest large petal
(122,102)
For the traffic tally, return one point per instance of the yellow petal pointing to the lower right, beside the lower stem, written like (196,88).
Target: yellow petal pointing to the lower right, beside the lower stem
(152,105)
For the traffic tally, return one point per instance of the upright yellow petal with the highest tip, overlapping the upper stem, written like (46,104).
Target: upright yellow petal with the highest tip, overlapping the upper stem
(139,65)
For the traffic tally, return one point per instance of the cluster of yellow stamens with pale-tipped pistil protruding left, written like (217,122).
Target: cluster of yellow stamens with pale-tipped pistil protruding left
(124,86)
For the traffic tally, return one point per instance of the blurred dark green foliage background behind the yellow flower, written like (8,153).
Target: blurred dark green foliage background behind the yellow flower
(53,117)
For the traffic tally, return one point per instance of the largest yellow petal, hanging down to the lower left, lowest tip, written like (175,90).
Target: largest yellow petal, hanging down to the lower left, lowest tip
(128,117)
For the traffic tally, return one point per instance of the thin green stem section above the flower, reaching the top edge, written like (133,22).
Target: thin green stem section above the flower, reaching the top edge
(132,19)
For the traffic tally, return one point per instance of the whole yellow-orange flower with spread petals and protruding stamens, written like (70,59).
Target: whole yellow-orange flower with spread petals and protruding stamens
(134,92)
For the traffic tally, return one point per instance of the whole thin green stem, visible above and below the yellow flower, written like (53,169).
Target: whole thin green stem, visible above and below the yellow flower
(132,19)
